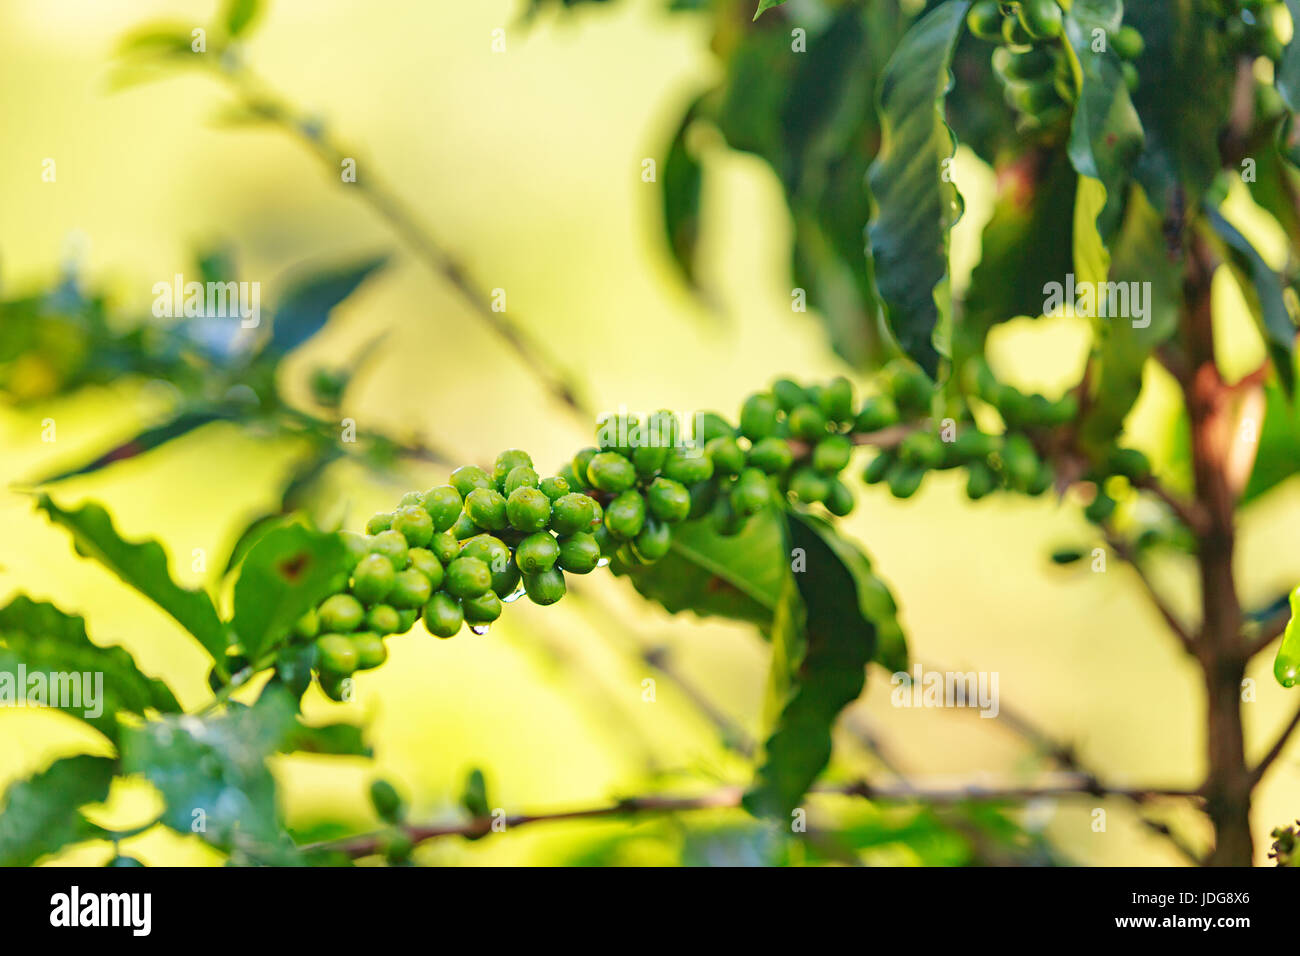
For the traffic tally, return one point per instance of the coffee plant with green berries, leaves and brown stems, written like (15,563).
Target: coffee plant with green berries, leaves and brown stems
(1137,152)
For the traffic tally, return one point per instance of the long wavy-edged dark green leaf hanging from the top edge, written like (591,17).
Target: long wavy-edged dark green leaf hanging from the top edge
(916,204)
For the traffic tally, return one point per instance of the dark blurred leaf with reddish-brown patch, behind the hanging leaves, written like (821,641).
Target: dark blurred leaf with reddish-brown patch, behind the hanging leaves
(1026,245)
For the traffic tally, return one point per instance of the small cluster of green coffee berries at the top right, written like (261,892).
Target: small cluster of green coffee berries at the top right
(1032,64)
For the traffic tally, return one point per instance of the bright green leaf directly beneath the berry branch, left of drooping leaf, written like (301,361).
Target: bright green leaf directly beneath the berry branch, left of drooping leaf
(738,578)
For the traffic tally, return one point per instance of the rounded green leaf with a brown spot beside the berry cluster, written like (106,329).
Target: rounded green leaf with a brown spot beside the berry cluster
(285,576)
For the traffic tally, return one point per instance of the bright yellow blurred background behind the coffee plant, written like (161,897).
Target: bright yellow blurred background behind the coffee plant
(528,165)
